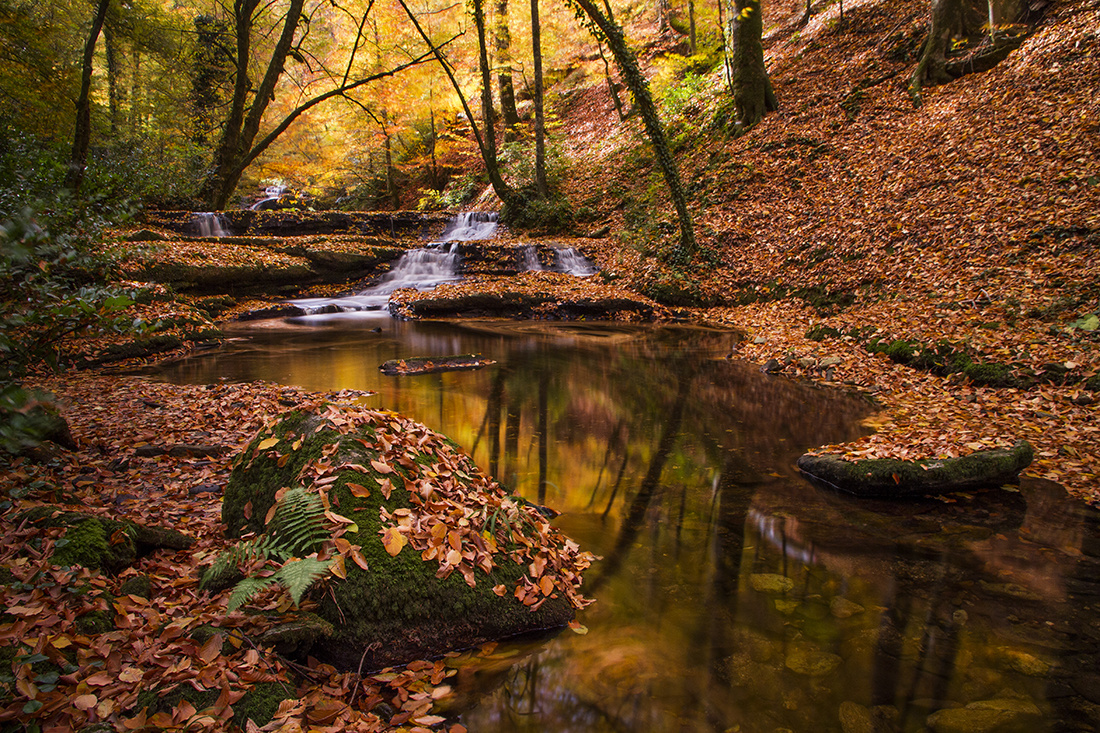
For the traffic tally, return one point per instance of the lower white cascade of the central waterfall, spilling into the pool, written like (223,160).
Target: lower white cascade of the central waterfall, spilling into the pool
(422,269)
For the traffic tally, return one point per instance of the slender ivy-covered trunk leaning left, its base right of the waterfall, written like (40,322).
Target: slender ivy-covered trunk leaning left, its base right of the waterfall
(644,102)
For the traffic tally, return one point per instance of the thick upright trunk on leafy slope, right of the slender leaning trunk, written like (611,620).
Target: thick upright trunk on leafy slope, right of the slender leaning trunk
(753,94)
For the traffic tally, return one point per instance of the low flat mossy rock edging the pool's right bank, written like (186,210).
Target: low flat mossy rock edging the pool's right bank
(896,479)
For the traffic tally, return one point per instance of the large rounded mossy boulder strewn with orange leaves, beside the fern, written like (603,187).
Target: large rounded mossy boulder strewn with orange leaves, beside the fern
(452,560)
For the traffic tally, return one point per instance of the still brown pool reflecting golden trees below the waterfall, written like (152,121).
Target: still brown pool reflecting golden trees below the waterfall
(732,595)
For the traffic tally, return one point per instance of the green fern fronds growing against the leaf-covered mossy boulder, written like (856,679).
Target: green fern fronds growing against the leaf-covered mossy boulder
(294,532)
